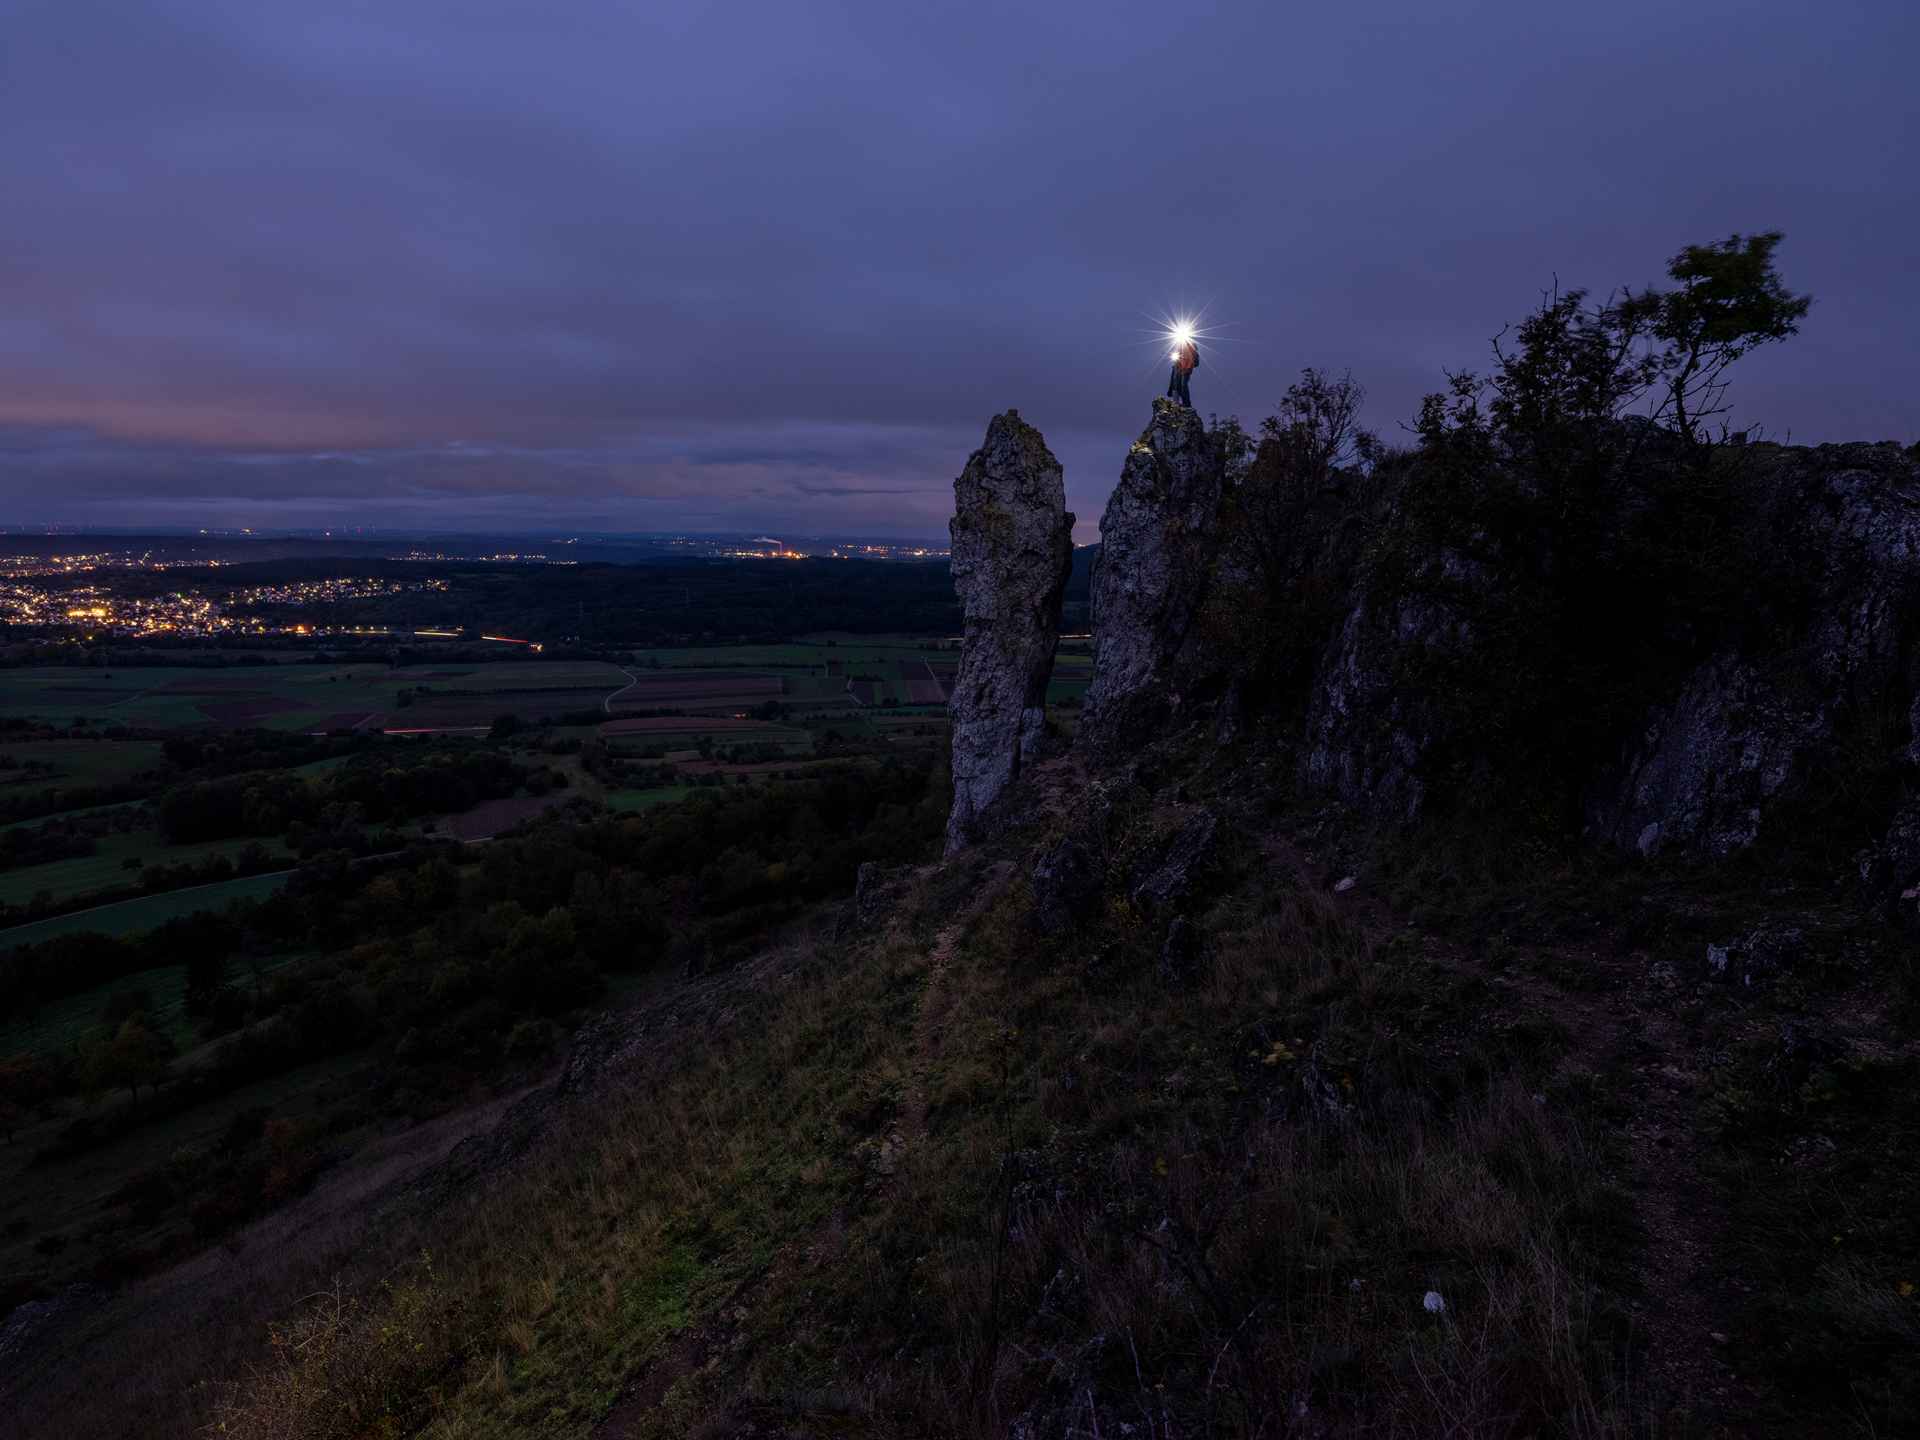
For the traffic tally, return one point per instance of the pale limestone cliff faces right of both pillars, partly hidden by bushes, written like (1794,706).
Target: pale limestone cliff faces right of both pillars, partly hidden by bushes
(1716,754)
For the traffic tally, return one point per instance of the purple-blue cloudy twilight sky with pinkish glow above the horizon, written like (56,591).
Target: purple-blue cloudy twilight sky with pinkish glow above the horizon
(773,264)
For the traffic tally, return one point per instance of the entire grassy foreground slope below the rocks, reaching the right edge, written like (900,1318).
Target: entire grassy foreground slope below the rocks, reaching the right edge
(948,1176)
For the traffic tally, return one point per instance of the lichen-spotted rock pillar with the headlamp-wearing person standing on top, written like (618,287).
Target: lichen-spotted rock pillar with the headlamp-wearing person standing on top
(1159,548)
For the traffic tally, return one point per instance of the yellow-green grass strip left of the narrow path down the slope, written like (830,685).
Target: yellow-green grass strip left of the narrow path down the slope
(550,1289)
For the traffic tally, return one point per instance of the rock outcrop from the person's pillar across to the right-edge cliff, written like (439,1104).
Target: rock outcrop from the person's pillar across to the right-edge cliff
(1460,656)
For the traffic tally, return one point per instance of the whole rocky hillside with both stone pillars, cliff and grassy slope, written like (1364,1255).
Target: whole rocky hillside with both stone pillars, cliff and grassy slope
(1458,980)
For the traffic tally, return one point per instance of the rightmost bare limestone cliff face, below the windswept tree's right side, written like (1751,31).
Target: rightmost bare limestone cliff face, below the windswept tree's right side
(1744,731)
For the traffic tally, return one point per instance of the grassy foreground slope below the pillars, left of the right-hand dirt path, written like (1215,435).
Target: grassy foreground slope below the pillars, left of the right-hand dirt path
(930,1172)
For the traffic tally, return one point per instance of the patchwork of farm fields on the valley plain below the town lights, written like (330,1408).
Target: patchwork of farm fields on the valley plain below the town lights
(698,711)
